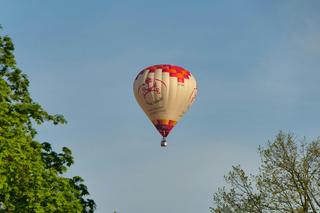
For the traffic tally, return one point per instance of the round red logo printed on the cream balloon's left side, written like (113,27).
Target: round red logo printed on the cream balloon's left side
(150,90)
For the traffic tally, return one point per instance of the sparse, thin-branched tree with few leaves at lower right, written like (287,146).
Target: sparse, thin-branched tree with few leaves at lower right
(288,180)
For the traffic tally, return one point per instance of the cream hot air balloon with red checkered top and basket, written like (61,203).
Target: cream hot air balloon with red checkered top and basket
(165,93)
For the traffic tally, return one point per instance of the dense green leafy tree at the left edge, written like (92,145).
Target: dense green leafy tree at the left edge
(31,173)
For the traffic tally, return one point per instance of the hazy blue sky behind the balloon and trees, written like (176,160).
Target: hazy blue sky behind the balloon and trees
(257,67)
